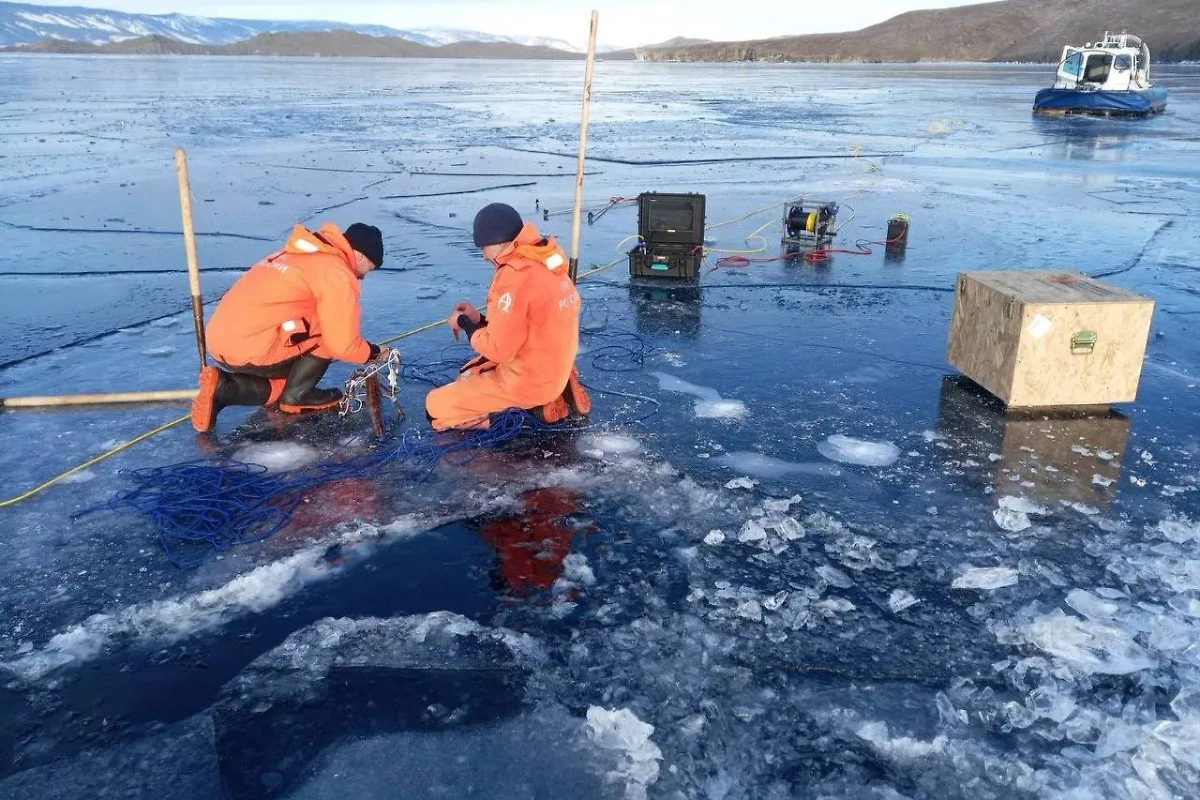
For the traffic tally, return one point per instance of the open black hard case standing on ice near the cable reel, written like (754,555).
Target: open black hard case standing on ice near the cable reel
(671,237)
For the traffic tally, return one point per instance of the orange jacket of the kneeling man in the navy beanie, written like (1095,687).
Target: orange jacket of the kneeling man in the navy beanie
(533,321)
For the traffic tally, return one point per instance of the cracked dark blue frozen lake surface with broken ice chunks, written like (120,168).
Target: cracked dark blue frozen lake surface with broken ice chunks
(824,569)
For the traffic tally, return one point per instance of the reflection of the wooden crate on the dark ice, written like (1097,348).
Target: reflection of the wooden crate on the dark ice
(1061,456)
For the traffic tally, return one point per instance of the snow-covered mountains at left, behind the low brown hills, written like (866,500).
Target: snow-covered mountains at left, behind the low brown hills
(26,25)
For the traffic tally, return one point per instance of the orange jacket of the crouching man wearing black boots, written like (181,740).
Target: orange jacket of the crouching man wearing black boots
(309,286)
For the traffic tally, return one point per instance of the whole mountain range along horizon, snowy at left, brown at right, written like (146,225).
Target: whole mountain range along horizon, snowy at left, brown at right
(1010,31)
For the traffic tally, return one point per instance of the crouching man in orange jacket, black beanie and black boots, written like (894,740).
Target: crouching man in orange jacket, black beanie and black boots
(279,328)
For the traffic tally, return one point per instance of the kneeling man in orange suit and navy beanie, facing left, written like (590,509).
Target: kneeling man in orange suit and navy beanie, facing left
(529,339)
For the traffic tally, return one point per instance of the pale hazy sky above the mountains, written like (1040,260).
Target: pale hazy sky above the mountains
(622,22)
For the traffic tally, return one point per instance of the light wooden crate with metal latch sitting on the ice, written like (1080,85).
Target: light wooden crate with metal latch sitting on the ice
(1040,339)
